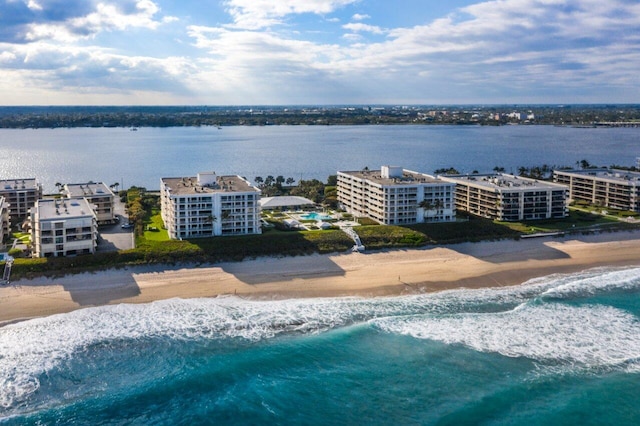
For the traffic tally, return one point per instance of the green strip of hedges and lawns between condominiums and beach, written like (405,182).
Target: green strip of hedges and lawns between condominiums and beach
(154,247)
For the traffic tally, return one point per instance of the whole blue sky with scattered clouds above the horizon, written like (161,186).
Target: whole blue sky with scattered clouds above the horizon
(318,52)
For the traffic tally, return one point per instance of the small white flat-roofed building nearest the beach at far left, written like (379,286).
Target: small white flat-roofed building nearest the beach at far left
(61,227)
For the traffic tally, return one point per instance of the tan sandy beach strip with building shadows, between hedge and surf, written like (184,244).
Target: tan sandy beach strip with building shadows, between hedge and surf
(393,272)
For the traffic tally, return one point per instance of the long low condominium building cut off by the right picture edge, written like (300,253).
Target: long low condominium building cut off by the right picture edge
(612,188)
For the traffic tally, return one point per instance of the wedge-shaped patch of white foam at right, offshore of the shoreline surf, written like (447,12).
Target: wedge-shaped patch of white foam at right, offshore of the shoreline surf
(592,336)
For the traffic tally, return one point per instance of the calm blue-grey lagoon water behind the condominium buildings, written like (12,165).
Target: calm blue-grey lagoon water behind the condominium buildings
(142,157)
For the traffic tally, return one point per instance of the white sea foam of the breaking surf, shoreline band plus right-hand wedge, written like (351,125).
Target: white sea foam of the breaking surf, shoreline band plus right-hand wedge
(31,349)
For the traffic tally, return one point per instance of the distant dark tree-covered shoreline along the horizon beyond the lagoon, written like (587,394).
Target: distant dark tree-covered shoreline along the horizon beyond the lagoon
(23,117)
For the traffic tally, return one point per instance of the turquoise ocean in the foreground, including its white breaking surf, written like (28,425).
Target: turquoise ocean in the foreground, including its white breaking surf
(561,349)
